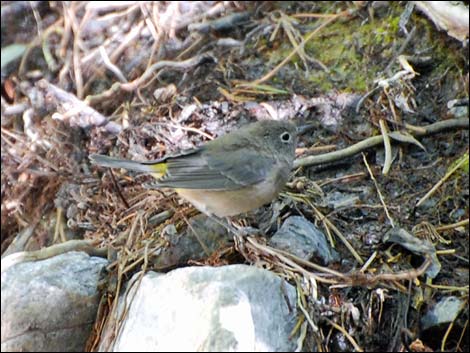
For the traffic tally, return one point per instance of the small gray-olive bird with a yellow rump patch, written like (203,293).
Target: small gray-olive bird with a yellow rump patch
(233,174)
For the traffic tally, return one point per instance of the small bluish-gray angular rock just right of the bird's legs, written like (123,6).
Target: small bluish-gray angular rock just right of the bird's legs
(302,238)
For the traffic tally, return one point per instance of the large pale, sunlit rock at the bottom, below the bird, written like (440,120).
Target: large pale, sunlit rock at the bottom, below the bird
(229,308)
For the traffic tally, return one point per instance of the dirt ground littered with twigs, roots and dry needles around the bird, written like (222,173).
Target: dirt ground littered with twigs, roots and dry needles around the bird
(142,80)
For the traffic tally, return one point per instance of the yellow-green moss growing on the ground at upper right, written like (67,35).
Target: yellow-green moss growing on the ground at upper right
(355,50)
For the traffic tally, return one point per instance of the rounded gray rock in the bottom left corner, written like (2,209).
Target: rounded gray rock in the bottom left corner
(50,305)
